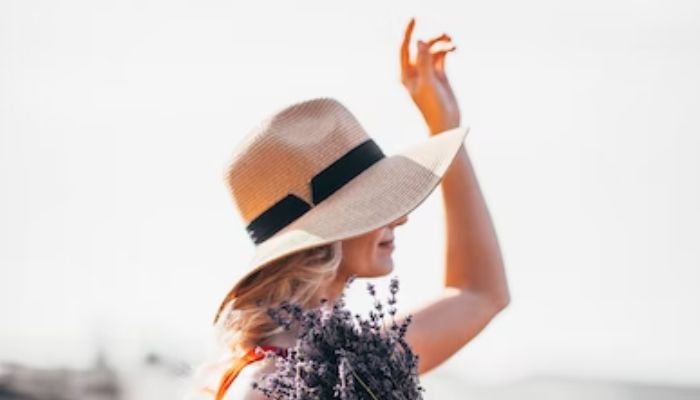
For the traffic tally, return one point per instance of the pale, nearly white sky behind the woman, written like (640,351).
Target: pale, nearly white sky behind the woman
(116,119)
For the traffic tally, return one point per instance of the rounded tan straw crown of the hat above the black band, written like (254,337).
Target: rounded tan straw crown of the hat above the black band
(286,150)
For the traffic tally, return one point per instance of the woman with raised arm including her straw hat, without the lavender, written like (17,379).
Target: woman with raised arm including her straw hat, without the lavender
(321,202)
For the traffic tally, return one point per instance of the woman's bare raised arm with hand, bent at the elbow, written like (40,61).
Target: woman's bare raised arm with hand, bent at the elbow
(475,282)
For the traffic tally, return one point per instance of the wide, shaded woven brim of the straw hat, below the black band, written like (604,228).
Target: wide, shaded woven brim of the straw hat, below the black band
(386,191)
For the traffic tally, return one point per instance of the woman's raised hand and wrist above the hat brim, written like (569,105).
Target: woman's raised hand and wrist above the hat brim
(427,83)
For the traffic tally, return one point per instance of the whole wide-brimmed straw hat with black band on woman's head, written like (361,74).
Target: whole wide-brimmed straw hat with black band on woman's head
(309,174)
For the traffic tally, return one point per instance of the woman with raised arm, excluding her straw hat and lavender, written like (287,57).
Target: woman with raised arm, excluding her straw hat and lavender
(474,279)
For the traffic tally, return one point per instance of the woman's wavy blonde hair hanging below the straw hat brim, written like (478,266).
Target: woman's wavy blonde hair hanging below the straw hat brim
(244,321)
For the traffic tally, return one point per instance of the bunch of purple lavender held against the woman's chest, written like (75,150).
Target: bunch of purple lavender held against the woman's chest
(337,356)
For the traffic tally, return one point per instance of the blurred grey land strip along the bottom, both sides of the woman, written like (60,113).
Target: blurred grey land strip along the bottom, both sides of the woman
(159,376)
